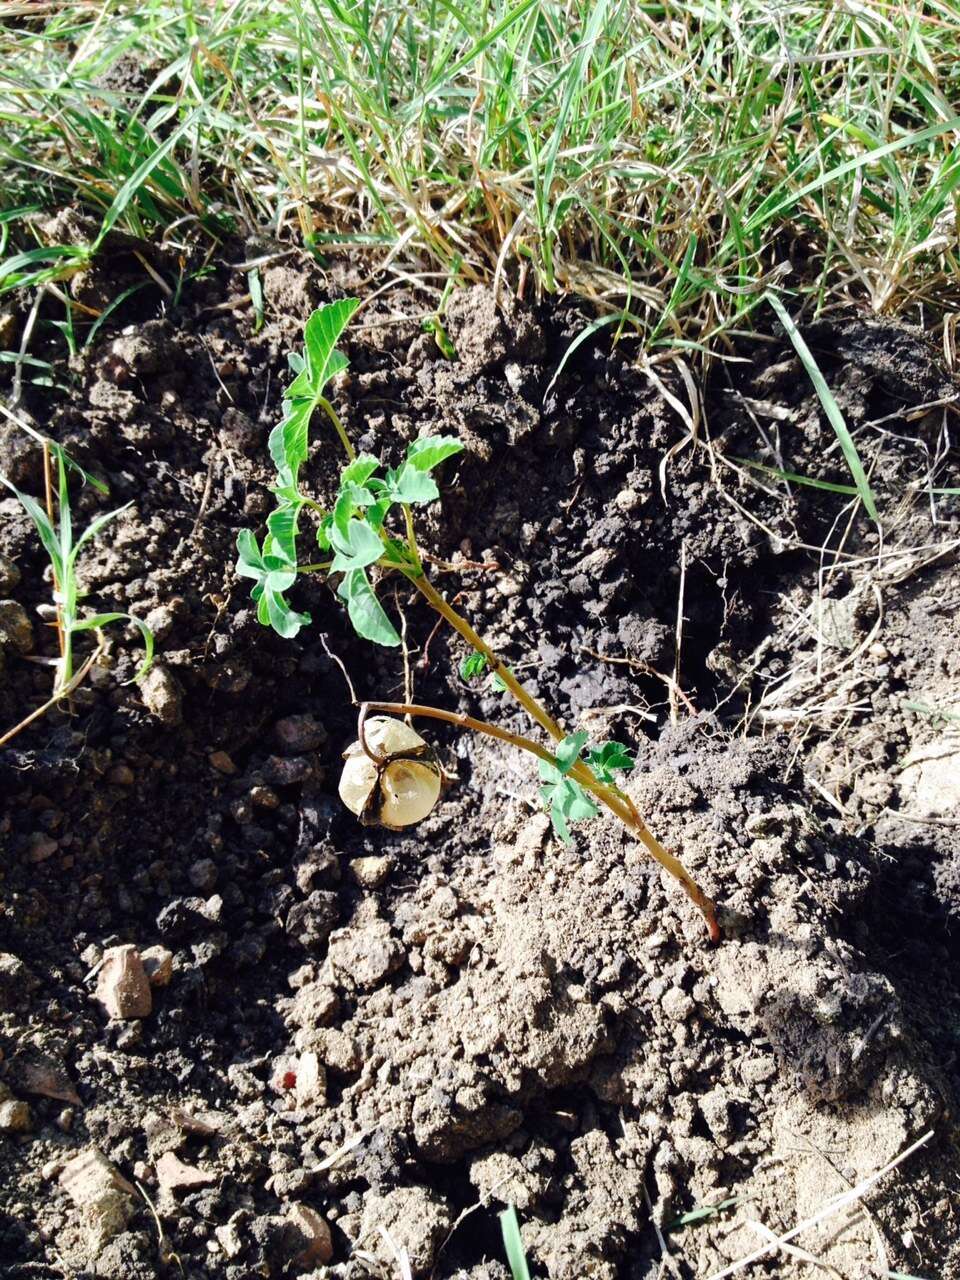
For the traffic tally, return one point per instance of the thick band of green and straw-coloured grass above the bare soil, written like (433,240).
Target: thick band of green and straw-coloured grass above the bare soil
(668,162)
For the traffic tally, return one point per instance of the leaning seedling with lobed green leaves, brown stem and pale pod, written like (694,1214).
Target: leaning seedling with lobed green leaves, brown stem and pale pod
(369,528)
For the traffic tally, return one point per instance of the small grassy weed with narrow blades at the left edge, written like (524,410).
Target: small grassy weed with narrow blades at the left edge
(56,533)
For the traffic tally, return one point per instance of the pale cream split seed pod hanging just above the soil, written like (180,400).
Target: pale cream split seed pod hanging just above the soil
(399,792)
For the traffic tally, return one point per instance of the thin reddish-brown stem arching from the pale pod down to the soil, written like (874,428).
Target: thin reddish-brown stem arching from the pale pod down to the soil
(612,798)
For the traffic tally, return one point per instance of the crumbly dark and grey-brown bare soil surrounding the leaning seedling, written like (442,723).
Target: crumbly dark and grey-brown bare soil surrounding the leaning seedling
(406,1032)
